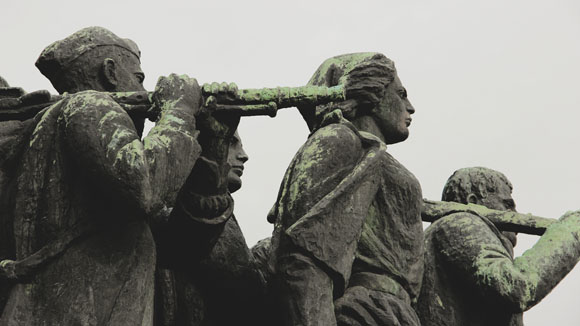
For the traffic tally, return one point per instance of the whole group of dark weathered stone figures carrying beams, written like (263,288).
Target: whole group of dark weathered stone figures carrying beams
(102,226)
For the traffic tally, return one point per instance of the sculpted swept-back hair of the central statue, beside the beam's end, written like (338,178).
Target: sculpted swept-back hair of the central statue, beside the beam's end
(365,77)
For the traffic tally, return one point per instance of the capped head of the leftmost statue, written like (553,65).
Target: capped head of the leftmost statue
(92,59)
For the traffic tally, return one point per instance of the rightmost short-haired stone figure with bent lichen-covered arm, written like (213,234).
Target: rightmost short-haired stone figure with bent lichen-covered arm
(471,276)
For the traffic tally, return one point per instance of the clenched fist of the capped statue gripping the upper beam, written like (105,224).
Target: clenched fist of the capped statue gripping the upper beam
(177,90)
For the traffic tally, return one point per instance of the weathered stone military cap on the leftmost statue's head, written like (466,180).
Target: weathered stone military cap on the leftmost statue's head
(60,54)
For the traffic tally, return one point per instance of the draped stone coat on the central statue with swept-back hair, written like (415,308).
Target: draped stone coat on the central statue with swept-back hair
(356,211)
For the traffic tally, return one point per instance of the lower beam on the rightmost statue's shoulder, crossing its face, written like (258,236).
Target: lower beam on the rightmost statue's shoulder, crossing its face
(504,220)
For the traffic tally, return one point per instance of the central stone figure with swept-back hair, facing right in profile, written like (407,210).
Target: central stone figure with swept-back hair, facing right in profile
(347,219)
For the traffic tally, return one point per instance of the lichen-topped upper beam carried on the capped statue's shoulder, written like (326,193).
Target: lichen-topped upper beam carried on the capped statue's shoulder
(245,102)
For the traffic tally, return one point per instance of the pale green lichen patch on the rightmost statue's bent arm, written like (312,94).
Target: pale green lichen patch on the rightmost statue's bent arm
(531,276)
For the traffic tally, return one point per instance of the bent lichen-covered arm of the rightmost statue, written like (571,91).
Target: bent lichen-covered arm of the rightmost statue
(470,247)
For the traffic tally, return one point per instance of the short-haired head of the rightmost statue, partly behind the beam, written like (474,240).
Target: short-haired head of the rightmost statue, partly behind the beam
(481,186)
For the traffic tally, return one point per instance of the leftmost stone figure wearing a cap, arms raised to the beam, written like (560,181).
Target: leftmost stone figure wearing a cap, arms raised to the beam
(88,188)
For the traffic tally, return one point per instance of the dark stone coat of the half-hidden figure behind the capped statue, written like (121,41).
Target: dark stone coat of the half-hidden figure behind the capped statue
(223,287)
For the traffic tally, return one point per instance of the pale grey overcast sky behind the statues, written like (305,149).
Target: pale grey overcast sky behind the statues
(494,84)
